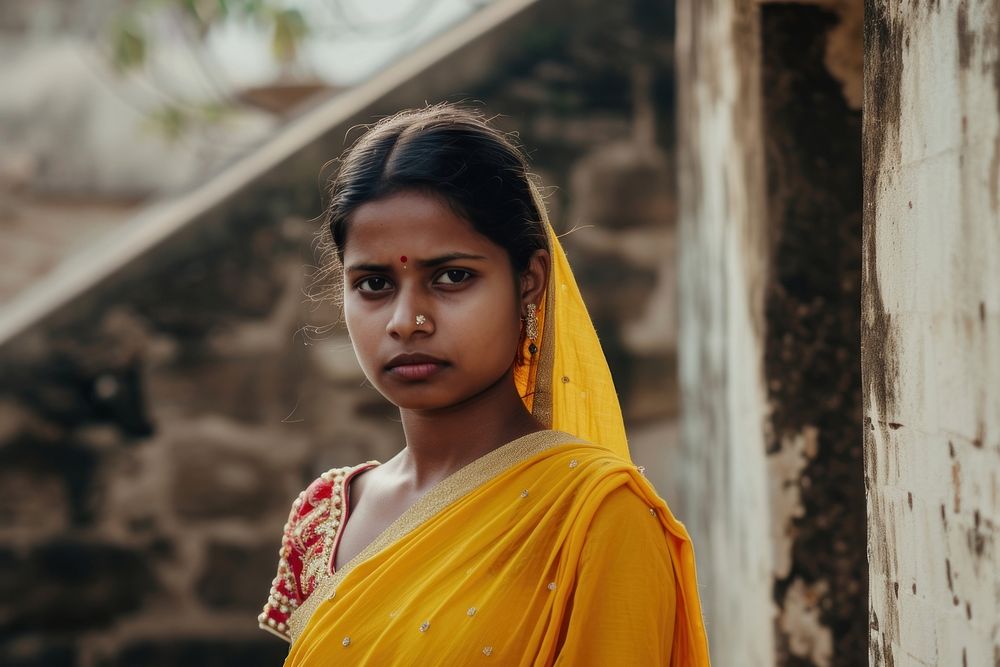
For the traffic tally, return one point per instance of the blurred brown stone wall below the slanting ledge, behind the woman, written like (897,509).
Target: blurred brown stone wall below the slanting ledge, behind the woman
(155,430)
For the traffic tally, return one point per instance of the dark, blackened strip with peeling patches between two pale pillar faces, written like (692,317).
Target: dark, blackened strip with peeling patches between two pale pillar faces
(812,131)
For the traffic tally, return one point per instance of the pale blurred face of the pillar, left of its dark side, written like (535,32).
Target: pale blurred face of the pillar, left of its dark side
(722,274)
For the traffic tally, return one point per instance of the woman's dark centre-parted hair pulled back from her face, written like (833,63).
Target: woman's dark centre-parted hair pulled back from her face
(450,152)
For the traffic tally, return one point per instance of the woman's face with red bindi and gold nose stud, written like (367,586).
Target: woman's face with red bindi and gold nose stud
(419,280)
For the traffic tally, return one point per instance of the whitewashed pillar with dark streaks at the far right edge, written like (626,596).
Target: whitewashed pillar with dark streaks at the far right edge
(931,330)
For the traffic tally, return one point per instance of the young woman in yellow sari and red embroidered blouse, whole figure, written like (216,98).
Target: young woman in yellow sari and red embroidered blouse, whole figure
(512,528)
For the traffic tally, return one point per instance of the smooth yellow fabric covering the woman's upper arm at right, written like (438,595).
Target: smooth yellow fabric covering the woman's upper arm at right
(624,603)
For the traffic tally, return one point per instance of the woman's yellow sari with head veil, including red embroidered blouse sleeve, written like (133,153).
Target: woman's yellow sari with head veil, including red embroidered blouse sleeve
(550,550)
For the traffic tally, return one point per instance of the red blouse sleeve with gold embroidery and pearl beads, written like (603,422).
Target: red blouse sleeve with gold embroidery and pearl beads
(306,539)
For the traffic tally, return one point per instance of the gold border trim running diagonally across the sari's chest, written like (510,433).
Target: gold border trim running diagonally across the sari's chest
(430,504)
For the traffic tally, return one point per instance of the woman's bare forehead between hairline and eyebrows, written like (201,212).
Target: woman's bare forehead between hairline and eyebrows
(413,224)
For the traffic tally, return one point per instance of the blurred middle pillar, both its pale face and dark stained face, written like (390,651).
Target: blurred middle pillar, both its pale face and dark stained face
(770,227)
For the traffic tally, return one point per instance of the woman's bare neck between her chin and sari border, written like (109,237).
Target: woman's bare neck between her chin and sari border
(440,442)
